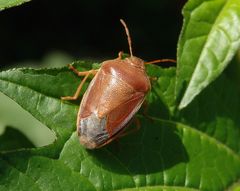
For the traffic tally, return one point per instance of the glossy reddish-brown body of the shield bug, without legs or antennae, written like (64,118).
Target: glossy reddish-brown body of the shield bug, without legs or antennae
(114,95)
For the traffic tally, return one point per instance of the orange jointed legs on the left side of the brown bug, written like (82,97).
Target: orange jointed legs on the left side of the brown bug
(86,75)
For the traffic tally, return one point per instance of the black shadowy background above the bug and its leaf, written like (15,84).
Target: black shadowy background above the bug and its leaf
(87,29)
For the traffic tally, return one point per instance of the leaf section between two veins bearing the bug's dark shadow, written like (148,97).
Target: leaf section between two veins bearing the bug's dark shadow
(163,153)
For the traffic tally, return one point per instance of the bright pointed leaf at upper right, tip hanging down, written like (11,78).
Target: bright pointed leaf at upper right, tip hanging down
(210,38)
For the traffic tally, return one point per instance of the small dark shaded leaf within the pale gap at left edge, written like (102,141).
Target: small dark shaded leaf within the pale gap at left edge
(13,139)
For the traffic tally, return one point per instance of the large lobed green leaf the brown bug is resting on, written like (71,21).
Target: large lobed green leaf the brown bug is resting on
(172,151)
